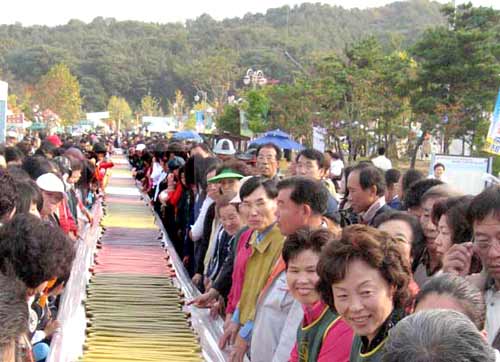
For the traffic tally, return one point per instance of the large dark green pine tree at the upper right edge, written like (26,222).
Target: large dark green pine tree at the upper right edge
(459,72)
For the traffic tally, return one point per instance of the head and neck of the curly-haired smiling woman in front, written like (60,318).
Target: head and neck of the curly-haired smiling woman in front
(368,276)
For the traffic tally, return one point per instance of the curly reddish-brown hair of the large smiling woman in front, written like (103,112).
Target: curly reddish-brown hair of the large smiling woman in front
(374,247)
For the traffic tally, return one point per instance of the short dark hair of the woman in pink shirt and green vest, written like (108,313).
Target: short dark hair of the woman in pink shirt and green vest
(305,238)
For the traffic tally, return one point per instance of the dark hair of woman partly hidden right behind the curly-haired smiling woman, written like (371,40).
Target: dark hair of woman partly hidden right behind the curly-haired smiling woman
(418,242)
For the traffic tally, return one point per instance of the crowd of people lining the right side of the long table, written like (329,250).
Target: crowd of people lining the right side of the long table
(321,262)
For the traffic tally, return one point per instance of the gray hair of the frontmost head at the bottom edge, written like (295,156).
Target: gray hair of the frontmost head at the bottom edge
(437,336)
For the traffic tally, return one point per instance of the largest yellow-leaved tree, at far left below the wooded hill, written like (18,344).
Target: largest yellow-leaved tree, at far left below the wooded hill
(59,91)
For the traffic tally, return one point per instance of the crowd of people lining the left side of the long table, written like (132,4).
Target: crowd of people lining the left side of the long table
(48,188)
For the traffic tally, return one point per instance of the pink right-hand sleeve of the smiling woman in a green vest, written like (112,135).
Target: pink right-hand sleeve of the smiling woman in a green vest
(336,346)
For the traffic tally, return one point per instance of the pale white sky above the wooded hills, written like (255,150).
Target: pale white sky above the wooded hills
(57,12)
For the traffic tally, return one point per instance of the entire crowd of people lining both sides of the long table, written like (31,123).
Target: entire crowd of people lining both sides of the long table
(317,262)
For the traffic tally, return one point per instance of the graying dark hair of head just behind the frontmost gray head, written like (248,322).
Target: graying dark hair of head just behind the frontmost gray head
(466,294)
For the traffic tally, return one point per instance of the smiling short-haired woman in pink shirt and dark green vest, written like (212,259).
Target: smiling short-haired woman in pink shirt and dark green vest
(323,336)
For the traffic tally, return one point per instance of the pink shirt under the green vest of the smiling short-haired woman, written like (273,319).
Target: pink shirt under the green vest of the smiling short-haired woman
(337,344)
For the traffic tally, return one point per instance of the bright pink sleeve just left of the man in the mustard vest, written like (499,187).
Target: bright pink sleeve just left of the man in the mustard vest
(243,252)
